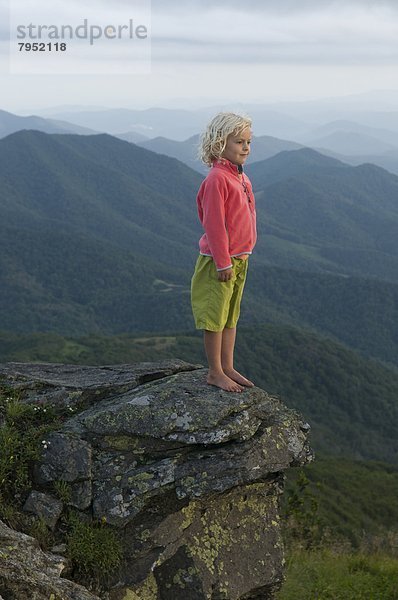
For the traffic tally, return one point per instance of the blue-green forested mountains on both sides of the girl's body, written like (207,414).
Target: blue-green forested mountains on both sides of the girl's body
(100,235)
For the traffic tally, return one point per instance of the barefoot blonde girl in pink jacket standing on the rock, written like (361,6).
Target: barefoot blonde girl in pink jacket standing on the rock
(226,210)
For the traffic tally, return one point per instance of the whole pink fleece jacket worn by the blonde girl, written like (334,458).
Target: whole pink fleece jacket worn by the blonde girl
(226,209)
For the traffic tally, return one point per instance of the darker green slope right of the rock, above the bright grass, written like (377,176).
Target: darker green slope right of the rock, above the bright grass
(343,499)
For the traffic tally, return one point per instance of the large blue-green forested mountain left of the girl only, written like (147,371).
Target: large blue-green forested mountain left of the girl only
(92,230)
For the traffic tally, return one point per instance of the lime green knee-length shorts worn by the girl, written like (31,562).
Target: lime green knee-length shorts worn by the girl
(216,304)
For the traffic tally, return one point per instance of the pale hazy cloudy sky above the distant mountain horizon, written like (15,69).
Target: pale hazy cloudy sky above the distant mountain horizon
(208,51)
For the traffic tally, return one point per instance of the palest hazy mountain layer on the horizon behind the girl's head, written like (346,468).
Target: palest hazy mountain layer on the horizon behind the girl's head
(298,122)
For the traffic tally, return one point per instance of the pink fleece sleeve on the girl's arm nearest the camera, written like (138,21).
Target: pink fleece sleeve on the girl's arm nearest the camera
(211,207)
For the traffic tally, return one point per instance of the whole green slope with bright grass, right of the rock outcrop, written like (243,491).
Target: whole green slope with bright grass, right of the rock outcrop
(340,529)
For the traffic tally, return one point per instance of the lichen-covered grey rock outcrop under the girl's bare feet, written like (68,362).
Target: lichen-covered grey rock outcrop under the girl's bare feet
(189,474)
